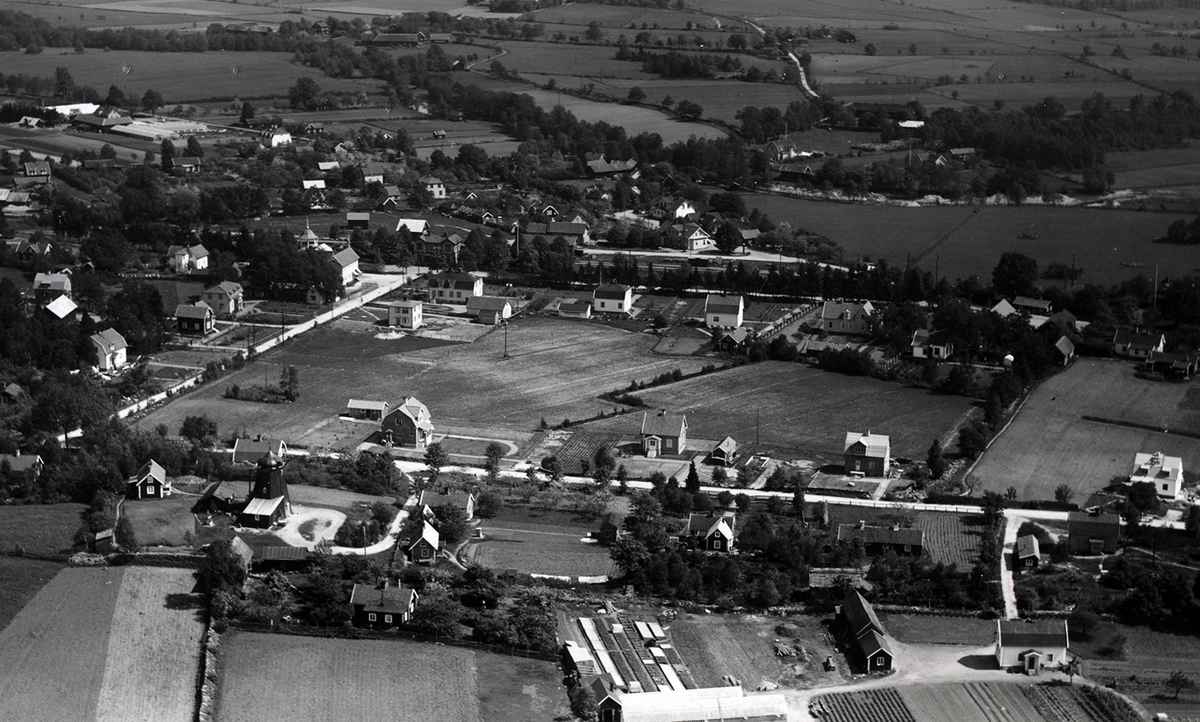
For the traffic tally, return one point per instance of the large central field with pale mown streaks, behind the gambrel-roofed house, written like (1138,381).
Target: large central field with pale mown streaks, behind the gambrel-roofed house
(555,371)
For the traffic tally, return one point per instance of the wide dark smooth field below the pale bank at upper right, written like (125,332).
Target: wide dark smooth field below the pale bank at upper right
(1109,245)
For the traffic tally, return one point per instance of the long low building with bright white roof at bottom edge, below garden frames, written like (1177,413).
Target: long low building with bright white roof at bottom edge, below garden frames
(686,706)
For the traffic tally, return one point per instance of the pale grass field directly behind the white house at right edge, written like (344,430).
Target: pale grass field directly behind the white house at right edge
(1049,443)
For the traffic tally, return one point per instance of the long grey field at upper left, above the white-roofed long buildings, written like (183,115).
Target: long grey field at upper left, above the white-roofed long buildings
(175,75)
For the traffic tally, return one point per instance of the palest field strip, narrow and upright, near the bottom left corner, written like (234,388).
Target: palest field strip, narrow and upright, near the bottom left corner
(157,633)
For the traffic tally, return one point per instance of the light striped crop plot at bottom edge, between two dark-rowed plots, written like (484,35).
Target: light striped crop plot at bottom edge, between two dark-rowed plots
(971,702)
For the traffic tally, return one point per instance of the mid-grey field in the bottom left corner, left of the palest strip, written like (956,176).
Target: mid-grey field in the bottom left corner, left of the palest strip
(55,652)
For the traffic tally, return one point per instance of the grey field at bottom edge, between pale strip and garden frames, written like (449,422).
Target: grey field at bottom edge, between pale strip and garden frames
(277,677)
